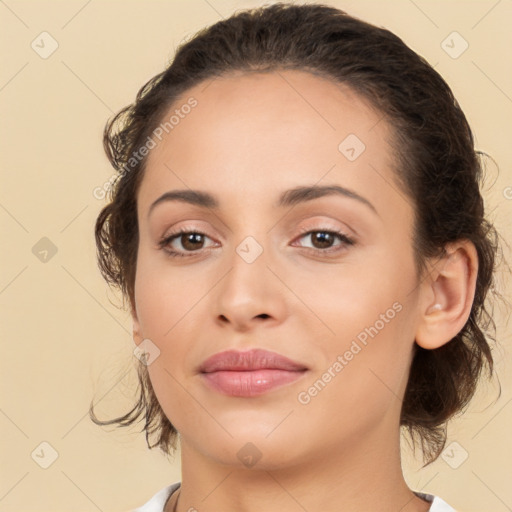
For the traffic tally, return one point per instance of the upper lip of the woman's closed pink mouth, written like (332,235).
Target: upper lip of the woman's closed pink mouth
(255,359)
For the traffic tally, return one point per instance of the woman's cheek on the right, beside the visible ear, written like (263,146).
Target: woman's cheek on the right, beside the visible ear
(367,314)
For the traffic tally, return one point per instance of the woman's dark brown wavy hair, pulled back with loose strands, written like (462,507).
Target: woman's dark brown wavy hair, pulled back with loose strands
(437,167)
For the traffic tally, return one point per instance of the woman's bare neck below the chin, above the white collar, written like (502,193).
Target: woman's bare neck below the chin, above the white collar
(363,474)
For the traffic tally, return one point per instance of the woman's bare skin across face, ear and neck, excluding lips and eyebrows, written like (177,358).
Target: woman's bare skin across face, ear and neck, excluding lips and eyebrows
(250,138)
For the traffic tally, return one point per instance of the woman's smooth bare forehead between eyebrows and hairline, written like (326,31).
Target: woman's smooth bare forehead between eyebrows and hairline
(261,132)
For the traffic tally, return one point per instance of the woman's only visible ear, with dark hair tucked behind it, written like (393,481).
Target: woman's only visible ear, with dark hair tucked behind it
(447,295)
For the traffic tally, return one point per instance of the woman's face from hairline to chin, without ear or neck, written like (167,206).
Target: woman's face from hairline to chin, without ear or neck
(253,278)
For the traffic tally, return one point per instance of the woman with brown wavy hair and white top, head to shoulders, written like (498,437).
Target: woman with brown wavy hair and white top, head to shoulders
(298,227)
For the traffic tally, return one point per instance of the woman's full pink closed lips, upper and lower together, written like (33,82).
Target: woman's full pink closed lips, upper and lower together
(249,373)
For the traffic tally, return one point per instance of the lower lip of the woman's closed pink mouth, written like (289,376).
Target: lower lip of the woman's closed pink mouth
(250,383)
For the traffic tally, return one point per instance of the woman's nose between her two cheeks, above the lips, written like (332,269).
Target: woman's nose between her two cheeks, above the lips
(250,293)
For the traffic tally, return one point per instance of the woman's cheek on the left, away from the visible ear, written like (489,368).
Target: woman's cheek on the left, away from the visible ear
(169,302)
